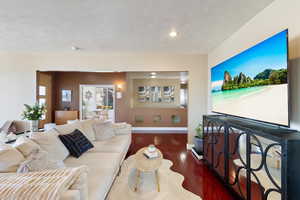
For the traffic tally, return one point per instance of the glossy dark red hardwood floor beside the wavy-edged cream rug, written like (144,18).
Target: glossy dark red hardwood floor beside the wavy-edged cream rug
(198,178)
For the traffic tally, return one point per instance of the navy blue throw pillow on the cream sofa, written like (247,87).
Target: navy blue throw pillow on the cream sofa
(76,143)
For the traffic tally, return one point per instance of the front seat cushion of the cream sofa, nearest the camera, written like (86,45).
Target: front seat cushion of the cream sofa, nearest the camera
(103,168)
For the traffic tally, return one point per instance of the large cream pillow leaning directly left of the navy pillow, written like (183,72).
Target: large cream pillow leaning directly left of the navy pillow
(50,142)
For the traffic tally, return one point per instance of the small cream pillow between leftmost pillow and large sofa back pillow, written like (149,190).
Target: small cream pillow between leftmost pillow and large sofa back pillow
(25,145)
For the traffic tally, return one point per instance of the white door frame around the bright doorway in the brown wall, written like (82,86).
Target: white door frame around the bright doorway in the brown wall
(113,87)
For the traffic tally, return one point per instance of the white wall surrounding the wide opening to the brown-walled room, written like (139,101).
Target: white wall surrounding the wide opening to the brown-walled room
(18,75)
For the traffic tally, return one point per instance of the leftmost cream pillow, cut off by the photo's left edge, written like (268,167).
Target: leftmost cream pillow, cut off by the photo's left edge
(10,159)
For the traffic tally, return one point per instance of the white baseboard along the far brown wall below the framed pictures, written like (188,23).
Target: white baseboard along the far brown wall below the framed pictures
(175,130)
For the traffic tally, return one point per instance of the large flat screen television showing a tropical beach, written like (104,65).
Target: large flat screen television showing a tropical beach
(254,83)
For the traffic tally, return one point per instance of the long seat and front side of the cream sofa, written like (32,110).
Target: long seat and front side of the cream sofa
(104,162)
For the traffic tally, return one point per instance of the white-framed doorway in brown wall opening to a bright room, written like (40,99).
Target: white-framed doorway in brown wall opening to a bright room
(97,102)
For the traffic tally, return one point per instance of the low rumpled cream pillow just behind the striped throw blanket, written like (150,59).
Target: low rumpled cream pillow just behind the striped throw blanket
(39,160)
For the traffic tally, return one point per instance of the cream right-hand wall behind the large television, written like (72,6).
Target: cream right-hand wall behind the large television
(281,14)
